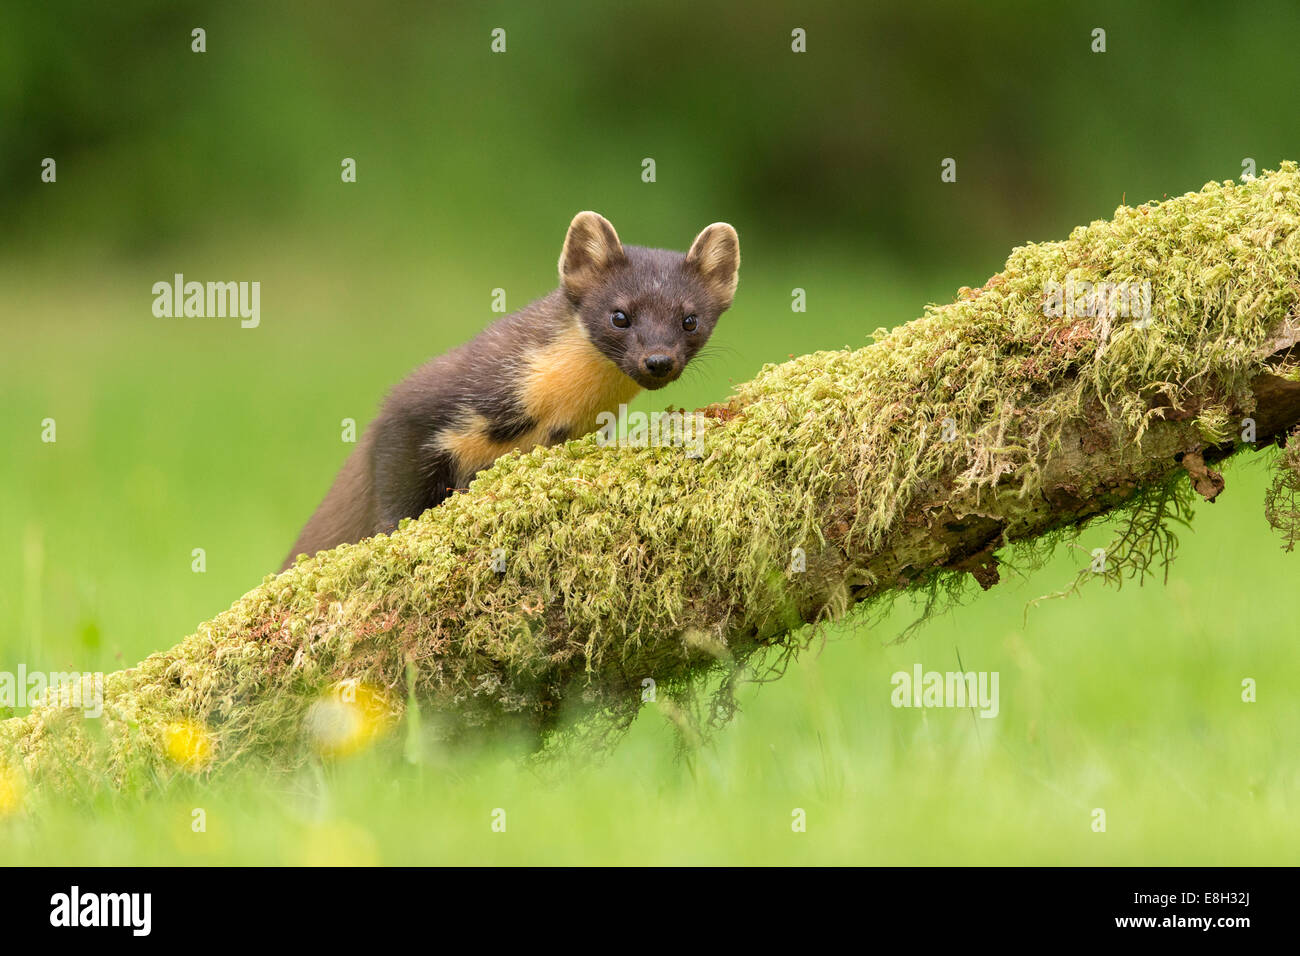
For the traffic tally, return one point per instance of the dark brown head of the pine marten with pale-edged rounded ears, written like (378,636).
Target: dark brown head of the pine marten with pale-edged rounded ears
(648,310)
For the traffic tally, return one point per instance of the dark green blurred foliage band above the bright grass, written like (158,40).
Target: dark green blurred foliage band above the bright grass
(158,145)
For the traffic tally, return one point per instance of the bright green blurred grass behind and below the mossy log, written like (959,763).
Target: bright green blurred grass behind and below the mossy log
(192,434)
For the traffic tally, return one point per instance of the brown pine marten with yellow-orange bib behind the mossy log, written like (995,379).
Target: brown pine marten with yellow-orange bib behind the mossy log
(625,319)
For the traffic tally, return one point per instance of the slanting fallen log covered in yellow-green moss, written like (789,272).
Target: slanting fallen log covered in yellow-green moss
(1003,419)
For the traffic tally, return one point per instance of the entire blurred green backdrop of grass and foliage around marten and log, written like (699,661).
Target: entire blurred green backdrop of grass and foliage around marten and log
(183,434)
